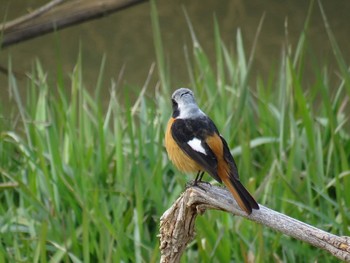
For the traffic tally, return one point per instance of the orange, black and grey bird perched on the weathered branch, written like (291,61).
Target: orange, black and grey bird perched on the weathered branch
(194,145)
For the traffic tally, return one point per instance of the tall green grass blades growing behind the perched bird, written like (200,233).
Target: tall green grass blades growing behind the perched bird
(86,183)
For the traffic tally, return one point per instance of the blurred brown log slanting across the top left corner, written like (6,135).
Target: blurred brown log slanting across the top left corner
(57,15)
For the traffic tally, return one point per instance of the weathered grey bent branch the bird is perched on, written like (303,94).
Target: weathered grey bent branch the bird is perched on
(177,223)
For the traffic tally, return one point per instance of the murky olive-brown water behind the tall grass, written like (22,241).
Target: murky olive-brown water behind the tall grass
(126,38)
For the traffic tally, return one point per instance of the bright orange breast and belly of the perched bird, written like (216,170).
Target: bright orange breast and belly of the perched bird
(179,158)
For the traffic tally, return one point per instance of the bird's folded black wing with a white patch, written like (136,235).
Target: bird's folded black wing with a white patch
(186,130)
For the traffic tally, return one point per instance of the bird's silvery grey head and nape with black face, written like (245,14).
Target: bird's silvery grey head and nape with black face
(184,104)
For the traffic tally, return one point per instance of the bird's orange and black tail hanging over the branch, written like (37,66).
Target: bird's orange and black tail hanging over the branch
(241,195)
